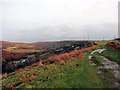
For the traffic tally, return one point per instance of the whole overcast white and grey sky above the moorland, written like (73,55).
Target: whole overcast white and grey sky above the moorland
(50,20)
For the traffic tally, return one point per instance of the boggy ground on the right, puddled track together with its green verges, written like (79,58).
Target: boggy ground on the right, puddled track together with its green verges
(107,61)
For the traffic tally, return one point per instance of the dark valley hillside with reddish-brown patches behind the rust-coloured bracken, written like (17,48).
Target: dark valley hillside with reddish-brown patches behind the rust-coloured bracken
(13,60)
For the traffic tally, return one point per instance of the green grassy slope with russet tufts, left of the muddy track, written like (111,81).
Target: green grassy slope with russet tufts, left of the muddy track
(74,73)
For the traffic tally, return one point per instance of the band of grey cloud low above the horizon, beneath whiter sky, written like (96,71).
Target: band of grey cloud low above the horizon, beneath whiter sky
(60,32)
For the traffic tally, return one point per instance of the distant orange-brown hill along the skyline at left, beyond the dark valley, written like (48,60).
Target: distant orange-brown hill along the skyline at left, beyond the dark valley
(35,45)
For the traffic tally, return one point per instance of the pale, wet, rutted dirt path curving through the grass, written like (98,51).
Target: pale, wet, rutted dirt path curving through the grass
(109,70)
